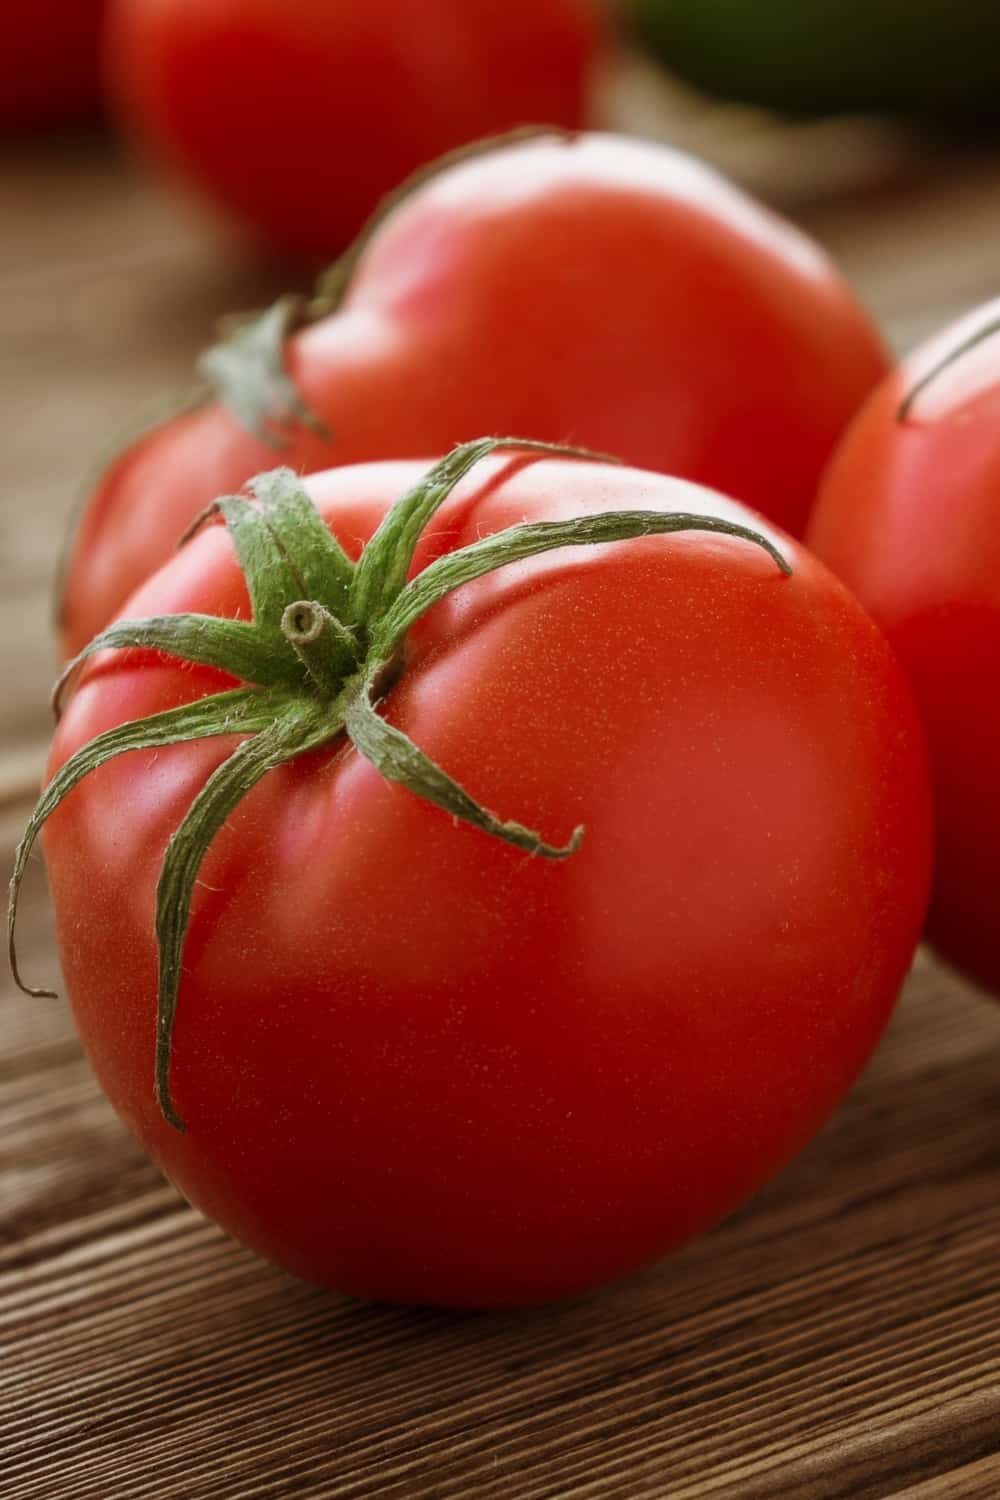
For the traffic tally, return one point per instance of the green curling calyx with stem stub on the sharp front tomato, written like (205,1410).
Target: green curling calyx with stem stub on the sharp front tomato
(325,641)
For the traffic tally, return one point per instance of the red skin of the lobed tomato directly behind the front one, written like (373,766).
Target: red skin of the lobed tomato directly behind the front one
(599,292)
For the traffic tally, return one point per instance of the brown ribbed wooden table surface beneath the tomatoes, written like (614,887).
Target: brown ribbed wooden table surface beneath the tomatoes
(840,1337)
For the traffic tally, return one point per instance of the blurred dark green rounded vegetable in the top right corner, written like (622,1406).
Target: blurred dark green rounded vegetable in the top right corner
(815,56)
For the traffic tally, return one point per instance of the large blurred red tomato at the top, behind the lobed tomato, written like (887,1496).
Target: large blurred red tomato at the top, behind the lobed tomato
(299,116)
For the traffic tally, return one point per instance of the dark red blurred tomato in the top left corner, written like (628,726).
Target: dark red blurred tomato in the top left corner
(50,64)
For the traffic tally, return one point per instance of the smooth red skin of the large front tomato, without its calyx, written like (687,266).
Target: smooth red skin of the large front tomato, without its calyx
(418,1064)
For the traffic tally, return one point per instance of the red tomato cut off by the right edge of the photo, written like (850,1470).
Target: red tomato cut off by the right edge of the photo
(909,515)
